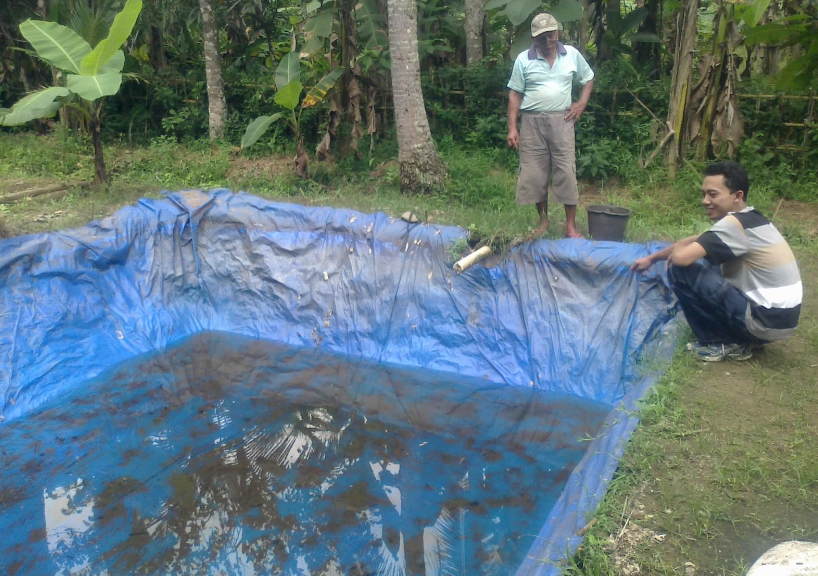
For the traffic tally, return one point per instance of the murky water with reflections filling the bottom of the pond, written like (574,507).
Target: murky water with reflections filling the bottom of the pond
(227,455)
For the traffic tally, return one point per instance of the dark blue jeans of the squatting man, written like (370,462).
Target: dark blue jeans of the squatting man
(715,310)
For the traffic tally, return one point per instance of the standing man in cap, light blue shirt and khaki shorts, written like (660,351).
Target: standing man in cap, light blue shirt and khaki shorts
(540,89)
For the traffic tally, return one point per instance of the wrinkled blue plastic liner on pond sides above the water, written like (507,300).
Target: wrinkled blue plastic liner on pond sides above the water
(565,317)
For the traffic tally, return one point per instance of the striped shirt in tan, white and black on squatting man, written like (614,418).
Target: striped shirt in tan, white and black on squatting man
(756,259)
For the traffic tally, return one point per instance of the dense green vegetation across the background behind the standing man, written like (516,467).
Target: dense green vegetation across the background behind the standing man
(758,57)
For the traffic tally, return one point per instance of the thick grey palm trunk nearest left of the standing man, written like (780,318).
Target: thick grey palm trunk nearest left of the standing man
(421,169)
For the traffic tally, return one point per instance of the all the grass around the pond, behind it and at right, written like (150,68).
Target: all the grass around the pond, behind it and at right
(725,461)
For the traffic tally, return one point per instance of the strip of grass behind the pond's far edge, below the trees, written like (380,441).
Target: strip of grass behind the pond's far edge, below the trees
(479,195)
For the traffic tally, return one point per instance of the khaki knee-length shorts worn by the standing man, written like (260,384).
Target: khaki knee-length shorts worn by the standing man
(547,148)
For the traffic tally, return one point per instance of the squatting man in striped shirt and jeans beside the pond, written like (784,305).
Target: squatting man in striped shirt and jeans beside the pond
(738,283)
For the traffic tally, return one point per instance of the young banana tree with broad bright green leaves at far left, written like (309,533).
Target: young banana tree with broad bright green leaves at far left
(91,74)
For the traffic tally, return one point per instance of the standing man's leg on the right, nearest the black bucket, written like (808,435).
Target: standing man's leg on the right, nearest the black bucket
(564,169)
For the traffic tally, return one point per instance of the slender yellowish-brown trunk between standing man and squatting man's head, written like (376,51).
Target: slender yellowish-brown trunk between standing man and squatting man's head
(680,82)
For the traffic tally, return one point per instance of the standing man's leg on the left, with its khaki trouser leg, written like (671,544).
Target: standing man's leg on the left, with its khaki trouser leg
(535,165)
